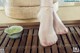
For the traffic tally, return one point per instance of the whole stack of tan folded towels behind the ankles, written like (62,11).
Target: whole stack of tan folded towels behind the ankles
(24,9)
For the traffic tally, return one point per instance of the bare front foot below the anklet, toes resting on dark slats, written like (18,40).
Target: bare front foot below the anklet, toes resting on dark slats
(47,35)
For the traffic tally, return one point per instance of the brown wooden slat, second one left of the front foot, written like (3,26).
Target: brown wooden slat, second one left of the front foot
(28,42)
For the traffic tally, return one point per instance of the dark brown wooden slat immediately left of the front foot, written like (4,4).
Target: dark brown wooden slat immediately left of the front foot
(34,43)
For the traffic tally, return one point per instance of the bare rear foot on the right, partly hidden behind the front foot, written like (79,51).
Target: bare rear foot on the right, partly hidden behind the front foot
(59,27)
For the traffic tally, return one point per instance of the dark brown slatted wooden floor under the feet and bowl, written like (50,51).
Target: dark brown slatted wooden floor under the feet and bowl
(29,42)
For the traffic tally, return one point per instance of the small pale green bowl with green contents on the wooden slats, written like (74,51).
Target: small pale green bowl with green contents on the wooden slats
(14,31)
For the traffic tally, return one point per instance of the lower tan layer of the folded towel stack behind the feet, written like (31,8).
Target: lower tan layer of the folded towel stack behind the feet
(22,12)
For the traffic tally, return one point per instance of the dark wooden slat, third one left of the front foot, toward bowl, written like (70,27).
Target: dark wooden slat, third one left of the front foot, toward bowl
(22,43)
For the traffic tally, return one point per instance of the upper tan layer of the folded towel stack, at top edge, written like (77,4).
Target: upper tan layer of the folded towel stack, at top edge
(24,2)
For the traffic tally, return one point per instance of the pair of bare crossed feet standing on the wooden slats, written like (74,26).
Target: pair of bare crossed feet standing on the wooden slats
(50,25)
